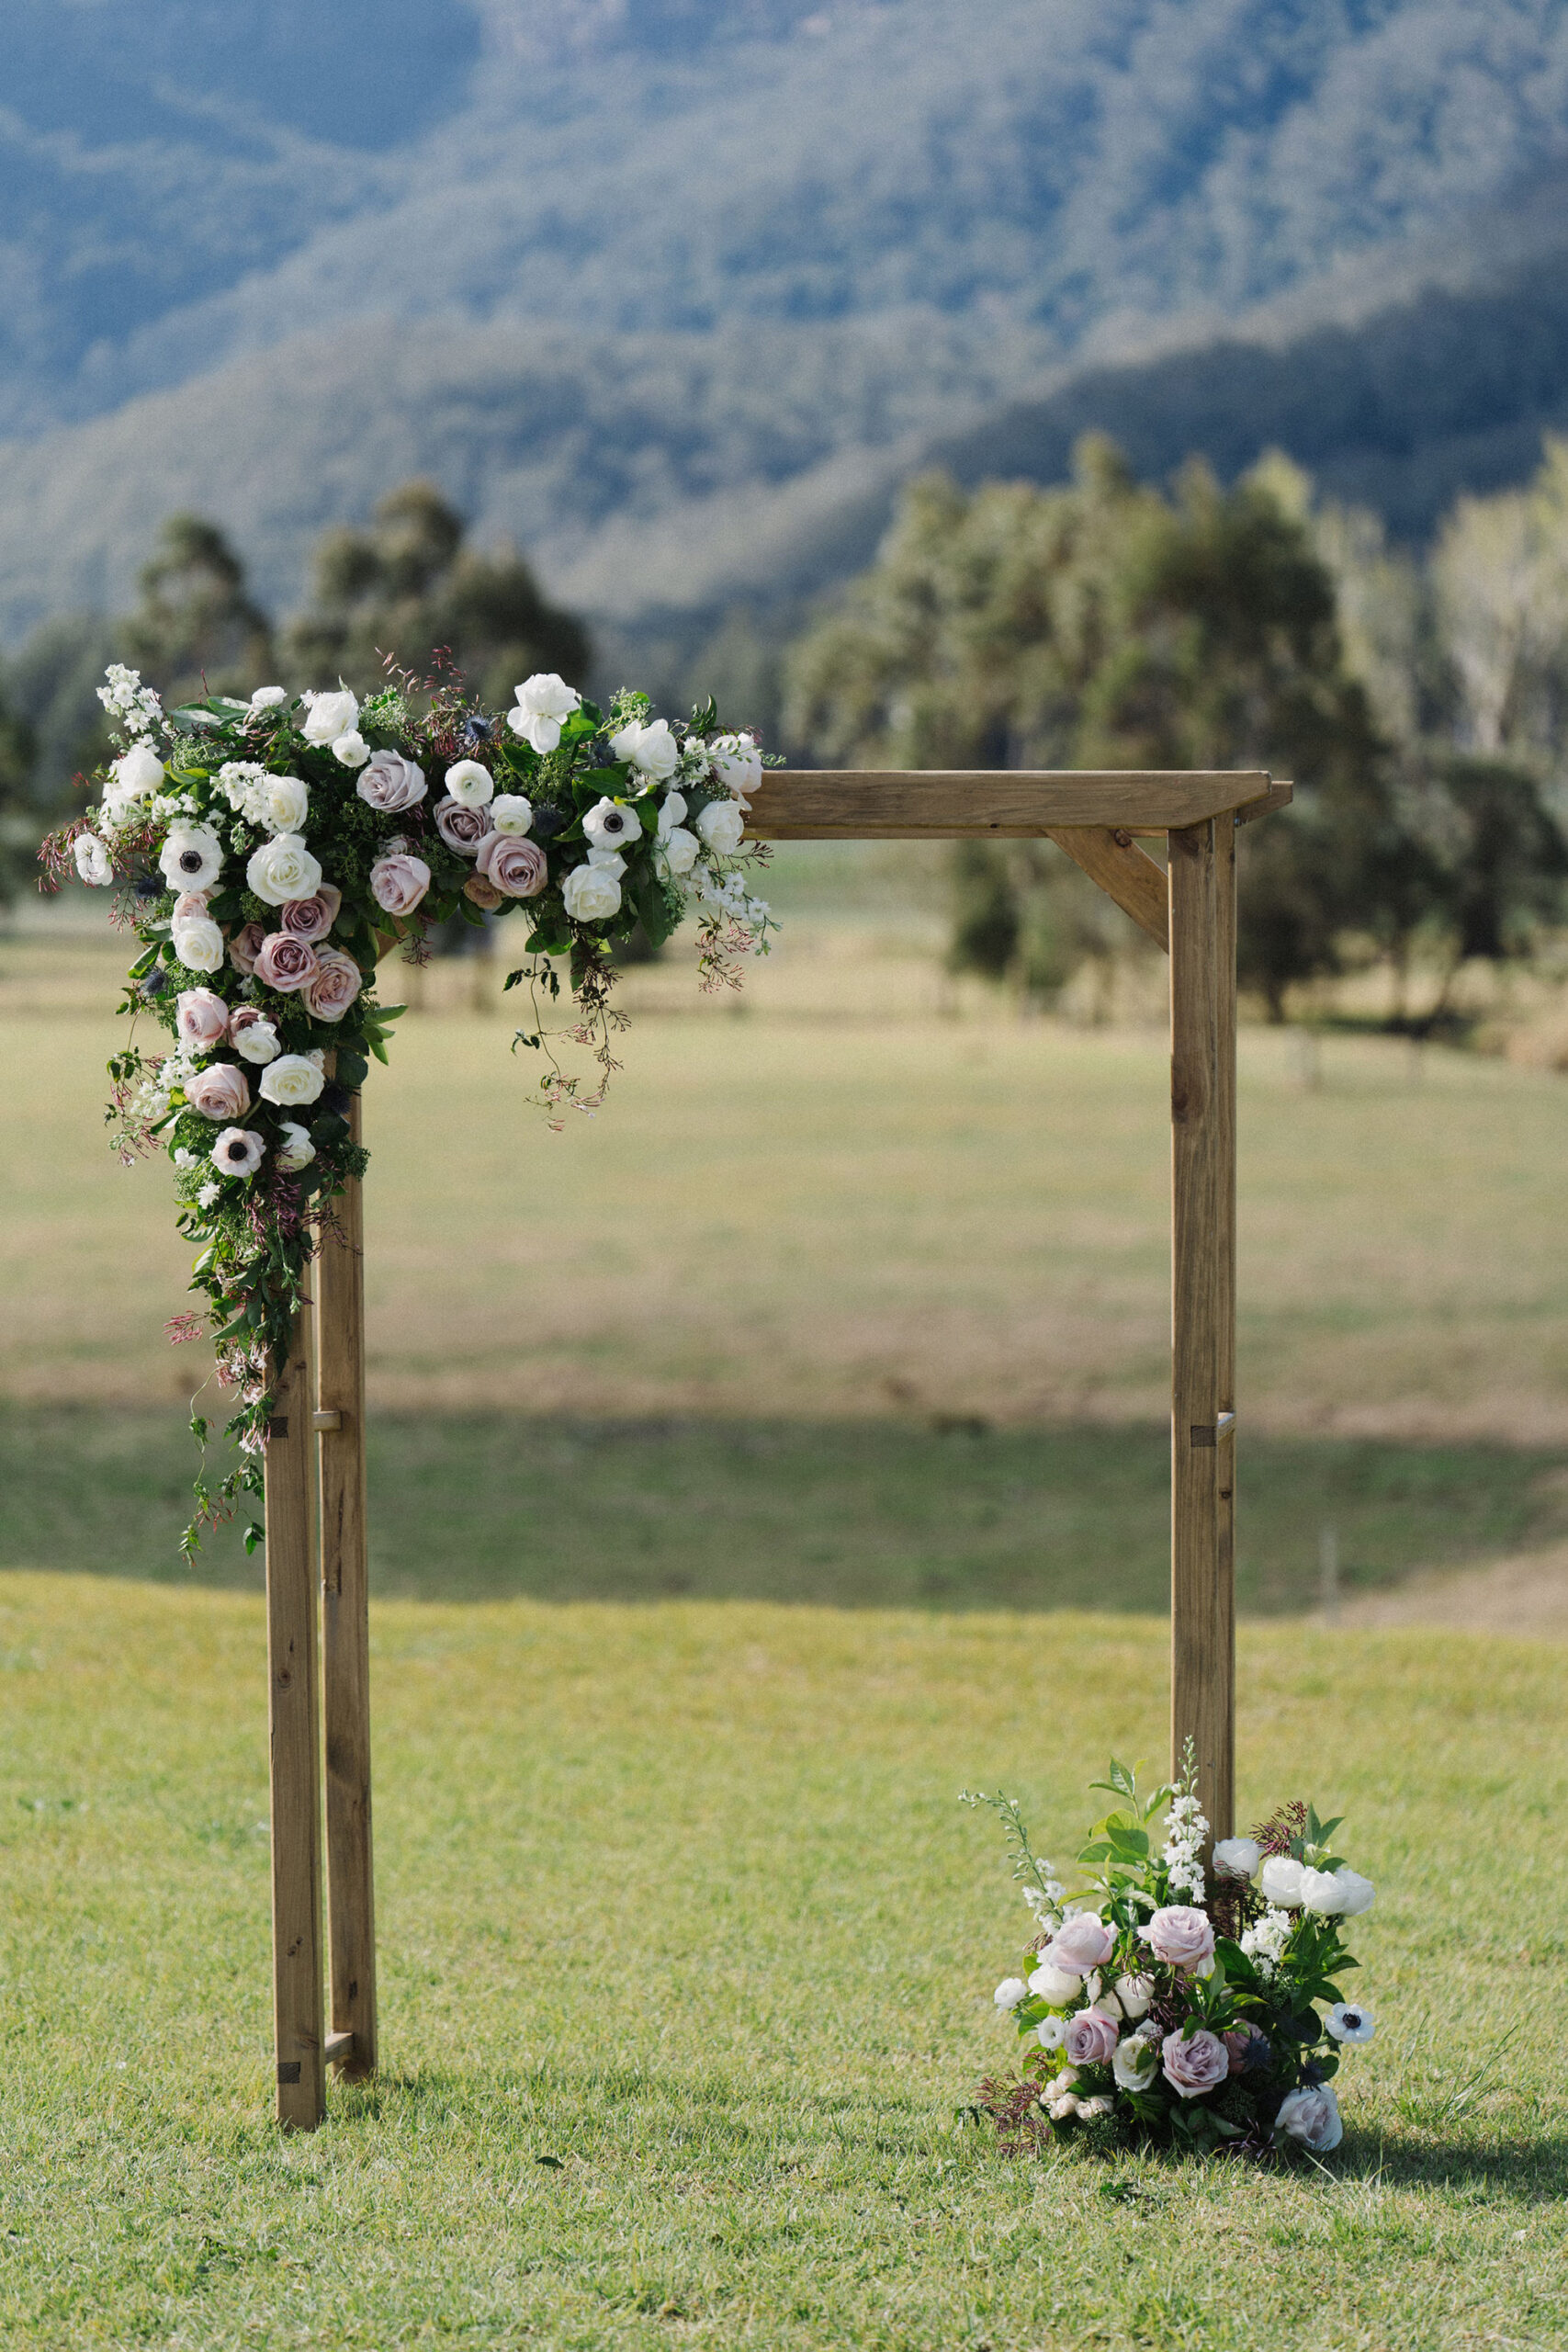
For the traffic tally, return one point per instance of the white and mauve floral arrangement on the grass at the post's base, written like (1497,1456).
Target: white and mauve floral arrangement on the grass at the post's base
(1177,2012)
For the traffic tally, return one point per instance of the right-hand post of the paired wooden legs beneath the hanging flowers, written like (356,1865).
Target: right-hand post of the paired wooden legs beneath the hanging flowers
(351,1895)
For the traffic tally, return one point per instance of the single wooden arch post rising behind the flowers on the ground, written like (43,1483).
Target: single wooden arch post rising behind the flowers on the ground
(1202,1307)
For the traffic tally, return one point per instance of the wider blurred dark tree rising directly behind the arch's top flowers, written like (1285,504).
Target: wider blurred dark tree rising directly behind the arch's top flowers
(410,589)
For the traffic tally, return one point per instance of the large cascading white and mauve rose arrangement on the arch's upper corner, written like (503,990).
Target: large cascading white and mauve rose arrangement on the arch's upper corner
(269,857)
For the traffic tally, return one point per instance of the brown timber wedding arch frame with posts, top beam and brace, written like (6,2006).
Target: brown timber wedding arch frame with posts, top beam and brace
(319,1666)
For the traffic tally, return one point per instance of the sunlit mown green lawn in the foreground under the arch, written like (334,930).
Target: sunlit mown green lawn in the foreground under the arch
(678,1897)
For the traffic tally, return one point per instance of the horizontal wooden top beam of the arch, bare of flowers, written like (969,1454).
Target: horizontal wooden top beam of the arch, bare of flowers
(909,806)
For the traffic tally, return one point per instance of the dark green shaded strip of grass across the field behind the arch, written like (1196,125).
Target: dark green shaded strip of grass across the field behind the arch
(845,1514)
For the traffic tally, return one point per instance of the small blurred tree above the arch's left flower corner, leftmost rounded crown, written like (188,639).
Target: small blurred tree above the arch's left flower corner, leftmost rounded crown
(196,629)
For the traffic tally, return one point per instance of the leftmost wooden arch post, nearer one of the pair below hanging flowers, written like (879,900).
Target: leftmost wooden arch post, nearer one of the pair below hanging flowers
(295,1744)
